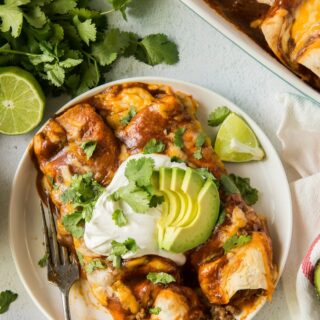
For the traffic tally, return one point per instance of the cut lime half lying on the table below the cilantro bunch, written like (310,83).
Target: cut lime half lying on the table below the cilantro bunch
(21,101)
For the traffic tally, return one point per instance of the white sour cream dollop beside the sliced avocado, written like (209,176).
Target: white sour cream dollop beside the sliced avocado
(101,230)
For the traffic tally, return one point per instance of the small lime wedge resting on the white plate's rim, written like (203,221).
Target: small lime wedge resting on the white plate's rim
(236,142)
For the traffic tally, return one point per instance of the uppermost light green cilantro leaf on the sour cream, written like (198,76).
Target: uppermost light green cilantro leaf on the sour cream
(140,171)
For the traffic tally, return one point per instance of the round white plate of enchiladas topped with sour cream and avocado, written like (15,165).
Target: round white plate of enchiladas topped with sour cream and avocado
(149,208)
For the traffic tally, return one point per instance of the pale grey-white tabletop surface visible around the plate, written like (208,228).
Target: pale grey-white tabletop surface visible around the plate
(207,59)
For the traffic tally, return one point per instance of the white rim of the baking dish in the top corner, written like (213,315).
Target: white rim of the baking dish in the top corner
(248,45)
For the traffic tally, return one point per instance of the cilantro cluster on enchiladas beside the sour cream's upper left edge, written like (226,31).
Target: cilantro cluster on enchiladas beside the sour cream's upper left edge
(83,194)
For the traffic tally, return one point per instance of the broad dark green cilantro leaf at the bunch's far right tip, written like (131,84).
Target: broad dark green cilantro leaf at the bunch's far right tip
(157,48)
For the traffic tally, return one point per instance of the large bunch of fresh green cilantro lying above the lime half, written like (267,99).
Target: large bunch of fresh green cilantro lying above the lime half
(67,46)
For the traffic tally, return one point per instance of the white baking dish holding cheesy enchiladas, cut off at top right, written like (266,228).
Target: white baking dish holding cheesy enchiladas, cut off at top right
(282,35)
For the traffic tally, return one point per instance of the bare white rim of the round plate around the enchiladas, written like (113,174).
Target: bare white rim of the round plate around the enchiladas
(25,227)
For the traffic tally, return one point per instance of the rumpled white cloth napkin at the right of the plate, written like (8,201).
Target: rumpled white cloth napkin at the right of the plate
(299,134)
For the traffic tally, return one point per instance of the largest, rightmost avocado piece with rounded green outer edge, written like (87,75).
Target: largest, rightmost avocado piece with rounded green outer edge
(199,229)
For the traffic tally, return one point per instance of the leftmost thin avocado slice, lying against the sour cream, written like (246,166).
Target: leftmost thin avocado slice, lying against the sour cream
(172,204)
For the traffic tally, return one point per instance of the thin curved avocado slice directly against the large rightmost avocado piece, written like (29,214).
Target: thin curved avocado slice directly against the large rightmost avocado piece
(191,186)
